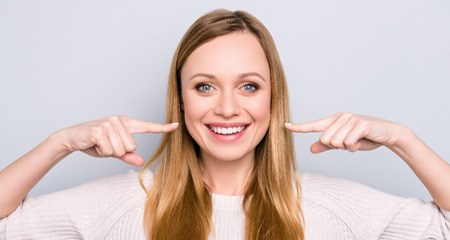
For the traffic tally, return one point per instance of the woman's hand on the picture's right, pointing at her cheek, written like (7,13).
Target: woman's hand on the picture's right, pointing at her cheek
(350,132)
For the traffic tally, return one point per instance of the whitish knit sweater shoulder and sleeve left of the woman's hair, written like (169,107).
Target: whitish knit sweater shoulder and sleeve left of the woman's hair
(108,208)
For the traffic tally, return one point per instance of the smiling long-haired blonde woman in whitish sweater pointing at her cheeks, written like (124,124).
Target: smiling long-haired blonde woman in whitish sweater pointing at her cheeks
(228,165)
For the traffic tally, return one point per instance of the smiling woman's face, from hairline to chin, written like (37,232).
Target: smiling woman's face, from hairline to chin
(226,96)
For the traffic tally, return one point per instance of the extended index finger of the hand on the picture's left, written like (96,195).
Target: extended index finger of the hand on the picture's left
(139,126)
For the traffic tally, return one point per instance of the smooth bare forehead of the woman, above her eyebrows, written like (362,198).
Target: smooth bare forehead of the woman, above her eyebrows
(227,56)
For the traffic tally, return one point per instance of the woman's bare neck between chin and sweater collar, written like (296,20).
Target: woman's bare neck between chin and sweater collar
(228,177)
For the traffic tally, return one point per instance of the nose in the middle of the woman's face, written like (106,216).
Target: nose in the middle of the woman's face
(227,104)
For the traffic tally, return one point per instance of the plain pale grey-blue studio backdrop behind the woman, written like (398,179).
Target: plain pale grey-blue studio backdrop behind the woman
(65,62)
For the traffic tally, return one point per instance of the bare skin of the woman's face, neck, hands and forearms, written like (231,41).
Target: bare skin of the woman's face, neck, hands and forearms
(227,163)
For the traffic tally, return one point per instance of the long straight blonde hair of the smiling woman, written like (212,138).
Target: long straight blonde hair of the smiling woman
(178,202)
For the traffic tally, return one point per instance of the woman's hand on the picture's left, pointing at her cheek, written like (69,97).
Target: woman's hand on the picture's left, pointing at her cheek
(110,137)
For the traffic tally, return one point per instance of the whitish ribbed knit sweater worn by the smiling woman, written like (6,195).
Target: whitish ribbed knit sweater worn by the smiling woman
(112,208)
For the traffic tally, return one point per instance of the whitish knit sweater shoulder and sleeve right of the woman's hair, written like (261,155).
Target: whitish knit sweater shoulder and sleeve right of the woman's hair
(341,209)
